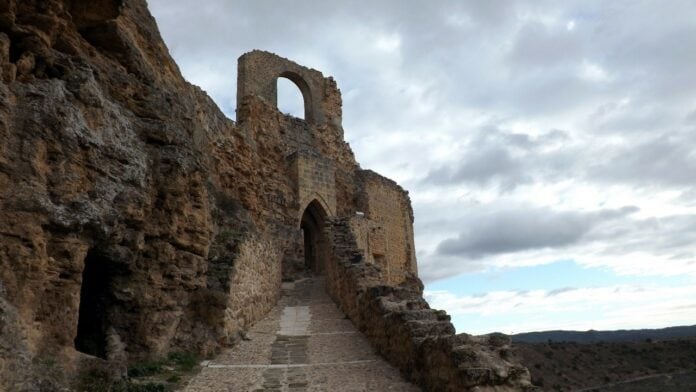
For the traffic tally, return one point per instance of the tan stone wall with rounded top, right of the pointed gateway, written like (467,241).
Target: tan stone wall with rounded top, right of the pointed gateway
(388,239)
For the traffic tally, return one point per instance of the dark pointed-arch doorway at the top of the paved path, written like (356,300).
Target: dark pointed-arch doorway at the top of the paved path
(314,238)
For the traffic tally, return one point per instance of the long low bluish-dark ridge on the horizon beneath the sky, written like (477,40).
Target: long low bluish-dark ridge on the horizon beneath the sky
(593,336)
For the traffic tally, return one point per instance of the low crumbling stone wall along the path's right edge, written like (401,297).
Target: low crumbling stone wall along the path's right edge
(420,341)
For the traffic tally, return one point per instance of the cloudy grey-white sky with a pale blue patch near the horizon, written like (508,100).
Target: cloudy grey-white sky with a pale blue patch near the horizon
(548,146)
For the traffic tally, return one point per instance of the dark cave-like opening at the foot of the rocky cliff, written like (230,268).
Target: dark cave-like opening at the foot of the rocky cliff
(95,300)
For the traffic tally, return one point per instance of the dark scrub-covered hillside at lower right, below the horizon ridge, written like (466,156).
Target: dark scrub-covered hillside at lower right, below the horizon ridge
(642,366)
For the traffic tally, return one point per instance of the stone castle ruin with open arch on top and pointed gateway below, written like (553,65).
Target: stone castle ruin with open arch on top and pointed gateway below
(325,182)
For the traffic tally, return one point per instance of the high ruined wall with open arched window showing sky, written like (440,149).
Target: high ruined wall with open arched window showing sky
(321,134)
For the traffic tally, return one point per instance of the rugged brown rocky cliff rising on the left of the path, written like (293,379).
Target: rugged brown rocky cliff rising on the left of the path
(107,166)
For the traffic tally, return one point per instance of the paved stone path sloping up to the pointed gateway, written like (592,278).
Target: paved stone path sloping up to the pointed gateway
(304,344)
